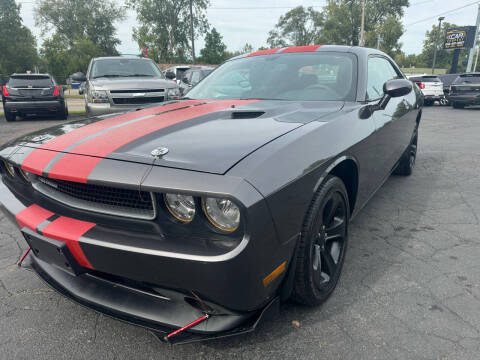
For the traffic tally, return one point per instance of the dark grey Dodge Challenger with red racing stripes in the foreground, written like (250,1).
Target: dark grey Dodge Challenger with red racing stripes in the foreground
(194,218)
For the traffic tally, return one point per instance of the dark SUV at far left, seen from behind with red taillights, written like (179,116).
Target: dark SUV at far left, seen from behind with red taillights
(33,94)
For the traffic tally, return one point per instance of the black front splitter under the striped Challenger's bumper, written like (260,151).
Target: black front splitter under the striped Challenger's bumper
(146,311)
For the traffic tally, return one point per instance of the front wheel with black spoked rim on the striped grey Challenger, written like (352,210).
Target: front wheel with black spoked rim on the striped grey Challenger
(323,244)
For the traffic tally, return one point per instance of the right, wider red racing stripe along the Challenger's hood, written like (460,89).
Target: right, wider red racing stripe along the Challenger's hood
(76,167)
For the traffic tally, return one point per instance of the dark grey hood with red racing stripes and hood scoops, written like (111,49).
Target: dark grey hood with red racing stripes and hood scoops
(200,135)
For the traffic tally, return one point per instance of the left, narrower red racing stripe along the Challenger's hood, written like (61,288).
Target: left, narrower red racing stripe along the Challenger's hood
(38,159)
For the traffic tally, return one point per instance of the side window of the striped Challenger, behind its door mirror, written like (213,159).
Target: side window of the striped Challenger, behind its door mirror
(379,72)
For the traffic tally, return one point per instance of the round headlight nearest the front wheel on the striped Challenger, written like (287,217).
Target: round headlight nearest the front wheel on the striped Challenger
(222,213)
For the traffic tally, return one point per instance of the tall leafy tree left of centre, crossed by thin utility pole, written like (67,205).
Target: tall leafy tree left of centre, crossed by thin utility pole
(164,27)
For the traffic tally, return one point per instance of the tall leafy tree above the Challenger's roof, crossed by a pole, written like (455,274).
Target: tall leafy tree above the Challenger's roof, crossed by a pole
(343,19)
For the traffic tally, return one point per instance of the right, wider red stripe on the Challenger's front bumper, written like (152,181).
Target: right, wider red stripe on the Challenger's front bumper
(69,231)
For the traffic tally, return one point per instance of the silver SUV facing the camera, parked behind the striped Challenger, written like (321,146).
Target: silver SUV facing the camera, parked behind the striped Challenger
(117,84)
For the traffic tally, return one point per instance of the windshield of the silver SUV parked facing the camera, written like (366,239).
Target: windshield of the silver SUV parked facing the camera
(124,68)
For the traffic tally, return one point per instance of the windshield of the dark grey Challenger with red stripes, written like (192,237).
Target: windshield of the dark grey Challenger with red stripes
(295,76)
